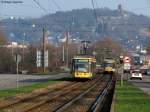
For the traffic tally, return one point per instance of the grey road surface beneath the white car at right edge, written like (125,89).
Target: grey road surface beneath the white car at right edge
(144,84)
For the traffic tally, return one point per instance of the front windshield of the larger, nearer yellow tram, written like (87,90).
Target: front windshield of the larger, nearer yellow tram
(81,66)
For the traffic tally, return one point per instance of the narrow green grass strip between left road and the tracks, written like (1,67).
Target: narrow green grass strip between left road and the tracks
(25,89)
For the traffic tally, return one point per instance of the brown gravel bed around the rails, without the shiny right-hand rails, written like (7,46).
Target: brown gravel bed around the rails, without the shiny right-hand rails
(52,98)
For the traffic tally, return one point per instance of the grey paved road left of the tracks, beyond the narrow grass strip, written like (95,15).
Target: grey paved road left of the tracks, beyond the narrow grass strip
(9,80)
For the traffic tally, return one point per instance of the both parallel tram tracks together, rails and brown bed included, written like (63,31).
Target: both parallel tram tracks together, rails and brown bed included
(76,97)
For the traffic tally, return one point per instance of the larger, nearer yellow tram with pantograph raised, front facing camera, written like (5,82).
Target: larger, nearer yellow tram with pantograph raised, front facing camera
(83,67)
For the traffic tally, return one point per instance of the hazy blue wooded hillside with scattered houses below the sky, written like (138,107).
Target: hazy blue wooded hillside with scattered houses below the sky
(82,26)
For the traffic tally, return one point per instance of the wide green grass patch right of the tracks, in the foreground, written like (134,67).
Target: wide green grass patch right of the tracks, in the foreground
(131,99)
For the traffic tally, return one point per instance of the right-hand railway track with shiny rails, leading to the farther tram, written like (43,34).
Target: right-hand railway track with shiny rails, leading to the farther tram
(91,100)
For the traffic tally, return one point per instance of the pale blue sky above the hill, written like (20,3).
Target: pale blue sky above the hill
(30,9)
